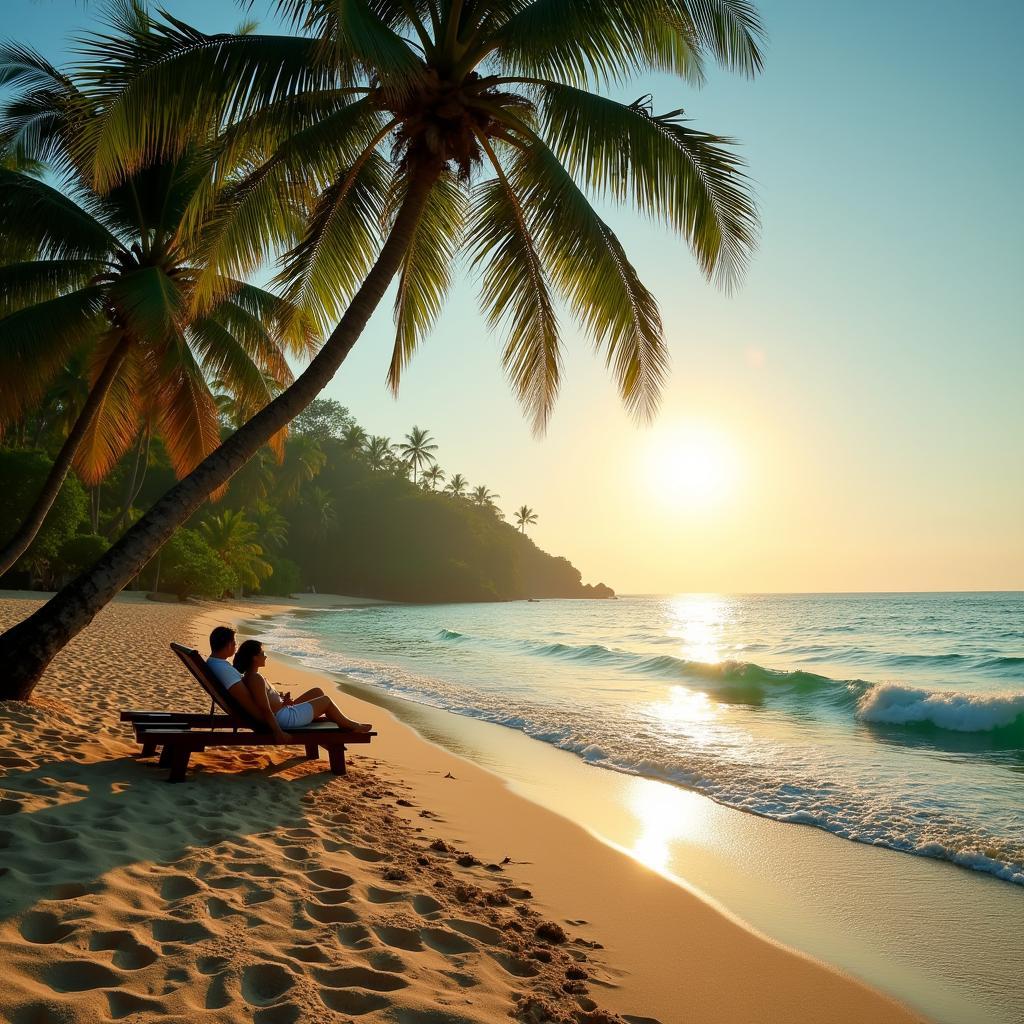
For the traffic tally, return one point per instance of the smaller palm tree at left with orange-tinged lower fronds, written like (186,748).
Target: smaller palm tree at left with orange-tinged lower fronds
(111,283)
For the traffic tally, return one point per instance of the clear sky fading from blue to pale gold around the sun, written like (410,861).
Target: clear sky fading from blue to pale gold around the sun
(851,417)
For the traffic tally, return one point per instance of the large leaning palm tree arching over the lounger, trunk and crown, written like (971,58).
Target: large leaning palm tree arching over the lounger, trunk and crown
(462,129)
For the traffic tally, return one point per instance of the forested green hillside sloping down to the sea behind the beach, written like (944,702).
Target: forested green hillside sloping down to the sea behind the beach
(334,509)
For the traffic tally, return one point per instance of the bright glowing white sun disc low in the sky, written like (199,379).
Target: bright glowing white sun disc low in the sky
(693,465)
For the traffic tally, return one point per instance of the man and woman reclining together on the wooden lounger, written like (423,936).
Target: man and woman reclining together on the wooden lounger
(259,698)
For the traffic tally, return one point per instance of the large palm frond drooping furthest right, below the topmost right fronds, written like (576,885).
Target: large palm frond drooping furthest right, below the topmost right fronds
(688,180)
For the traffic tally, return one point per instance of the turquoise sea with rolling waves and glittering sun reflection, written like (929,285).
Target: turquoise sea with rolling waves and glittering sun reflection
(895,720)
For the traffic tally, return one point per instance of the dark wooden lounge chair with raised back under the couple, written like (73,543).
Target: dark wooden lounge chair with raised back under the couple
(181,734)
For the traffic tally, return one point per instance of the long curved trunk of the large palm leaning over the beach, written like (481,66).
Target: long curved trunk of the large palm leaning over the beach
(28,649)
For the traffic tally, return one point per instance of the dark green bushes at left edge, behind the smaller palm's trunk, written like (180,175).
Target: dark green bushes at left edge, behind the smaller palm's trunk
(22,477)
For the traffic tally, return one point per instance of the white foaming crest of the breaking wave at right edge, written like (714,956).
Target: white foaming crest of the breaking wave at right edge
(894,705)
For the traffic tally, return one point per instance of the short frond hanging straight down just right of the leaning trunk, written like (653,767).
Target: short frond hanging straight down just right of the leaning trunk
(426,272)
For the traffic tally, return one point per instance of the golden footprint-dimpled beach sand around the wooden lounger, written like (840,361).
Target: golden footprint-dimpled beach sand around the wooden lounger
(267,890)
